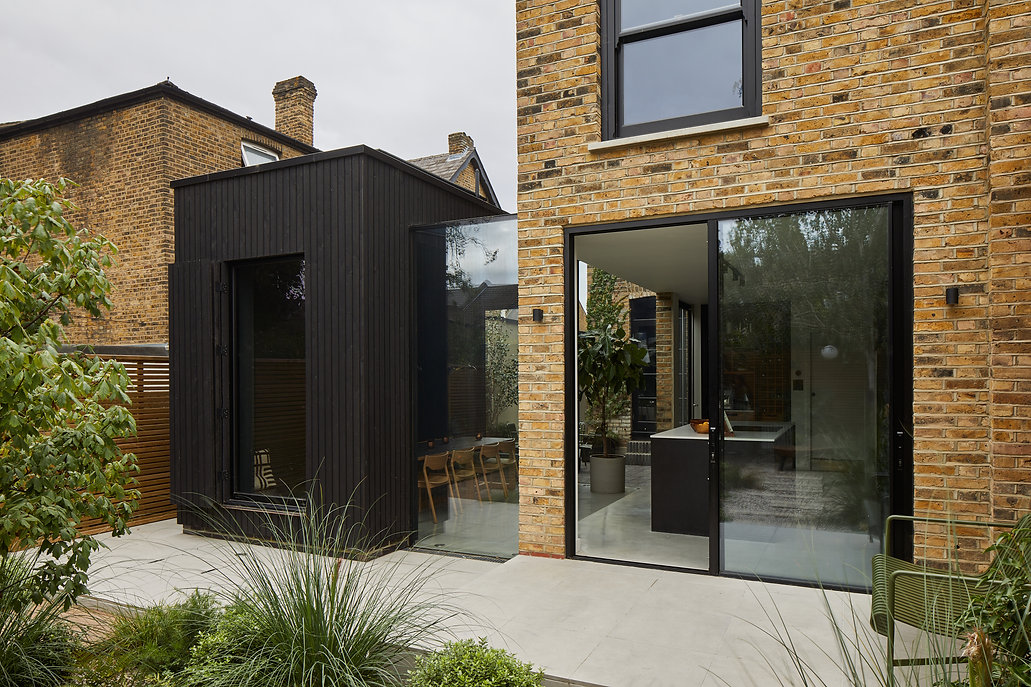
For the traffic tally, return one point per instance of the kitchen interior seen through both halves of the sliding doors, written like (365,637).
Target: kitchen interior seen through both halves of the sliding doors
(783,403)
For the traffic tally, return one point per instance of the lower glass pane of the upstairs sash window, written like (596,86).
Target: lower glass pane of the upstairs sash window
(683,74)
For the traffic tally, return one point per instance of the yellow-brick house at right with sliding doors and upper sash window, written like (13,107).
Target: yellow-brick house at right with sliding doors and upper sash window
(818,214)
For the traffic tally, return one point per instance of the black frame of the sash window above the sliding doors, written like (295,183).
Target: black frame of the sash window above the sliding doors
(613,41)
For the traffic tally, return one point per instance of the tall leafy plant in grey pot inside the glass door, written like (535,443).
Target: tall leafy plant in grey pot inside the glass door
(610,365)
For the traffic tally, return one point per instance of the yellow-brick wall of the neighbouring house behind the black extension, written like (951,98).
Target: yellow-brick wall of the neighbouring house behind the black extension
(123,160)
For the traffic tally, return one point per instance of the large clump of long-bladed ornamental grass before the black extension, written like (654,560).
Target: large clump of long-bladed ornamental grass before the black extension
(310,614)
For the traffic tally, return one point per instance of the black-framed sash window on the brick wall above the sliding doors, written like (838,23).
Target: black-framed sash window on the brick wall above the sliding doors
(671,64)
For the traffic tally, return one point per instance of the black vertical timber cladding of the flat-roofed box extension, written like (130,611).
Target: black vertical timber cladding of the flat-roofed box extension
(349,213)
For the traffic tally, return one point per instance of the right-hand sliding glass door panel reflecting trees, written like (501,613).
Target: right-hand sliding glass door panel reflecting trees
(804,312)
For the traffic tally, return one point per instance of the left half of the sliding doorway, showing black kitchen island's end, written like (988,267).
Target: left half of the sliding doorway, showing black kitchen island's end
(657,508)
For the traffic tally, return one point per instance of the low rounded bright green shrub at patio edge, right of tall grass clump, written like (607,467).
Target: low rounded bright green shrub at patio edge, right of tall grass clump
(472,664)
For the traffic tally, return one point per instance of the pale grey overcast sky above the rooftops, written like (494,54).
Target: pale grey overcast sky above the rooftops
(395,75)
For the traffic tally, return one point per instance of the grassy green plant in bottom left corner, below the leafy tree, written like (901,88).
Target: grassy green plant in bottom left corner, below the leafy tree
(37,647)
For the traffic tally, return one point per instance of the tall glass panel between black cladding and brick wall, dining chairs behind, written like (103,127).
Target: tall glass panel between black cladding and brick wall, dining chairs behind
(468,389)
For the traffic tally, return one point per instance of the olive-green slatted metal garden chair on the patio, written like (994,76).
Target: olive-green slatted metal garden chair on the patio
(928,600)
